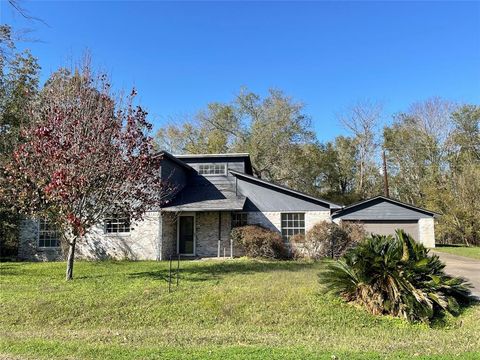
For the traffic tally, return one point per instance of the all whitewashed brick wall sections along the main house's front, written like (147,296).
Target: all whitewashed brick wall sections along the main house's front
(150,241)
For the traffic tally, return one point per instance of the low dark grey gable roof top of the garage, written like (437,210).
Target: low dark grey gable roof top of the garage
(383,208)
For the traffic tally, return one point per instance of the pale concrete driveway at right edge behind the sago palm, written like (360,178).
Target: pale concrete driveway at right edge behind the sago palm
(464,267)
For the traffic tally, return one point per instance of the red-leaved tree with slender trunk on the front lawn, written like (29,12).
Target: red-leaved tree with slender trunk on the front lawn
(86,155)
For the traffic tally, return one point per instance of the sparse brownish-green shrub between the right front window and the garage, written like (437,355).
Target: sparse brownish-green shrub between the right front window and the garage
(327,239)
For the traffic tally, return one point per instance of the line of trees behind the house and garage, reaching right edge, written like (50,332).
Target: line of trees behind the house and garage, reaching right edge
(431,152)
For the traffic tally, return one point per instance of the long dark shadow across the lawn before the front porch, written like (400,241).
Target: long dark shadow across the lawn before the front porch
(213,270)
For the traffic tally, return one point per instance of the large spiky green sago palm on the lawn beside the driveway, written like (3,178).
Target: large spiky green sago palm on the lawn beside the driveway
(396,276)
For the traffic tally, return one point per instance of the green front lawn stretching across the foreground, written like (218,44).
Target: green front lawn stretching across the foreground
(237,309)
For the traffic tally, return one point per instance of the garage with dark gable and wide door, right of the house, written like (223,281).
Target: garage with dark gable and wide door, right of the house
(381,215)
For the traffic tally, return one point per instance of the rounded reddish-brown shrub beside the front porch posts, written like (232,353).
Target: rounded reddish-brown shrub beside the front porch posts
(260,242)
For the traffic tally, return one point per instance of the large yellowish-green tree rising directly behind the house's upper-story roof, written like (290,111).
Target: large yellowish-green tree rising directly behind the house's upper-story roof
(274,130)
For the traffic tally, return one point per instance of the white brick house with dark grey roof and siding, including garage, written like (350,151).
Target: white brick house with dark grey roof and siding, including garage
(214,193)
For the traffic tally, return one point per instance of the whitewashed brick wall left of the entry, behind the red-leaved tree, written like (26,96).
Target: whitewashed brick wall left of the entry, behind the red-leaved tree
(141,243)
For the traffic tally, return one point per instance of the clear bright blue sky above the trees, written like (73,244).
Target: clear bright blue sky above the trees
(329,55)
